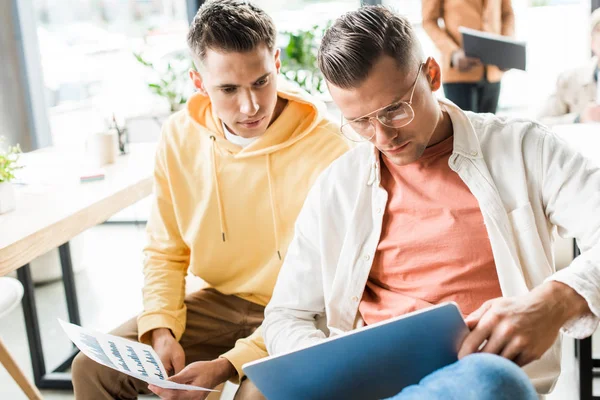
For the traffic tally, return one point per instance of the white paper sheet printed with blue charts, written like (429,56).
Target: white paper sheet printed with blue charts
(129,357)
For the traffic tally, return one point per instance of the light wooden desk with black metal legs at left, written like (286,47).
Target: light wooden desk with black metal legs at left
(52,208)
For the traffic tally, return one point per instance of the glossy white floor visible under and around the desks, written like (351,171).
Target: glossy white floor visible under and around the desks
(109,293)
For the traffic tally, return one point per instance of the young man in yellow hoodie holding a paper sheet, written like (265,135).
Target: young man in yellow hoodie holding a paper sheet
(232,172)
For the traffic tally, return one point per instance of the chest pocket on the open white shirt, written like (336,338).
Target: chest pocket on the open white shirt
(534,261)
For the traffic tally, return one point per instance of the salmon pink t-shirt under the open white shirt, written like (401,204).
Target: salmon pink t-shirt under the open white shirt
(434,245)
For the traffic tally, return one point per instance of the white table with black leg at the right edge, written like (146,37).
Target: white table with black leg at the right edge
(586,139)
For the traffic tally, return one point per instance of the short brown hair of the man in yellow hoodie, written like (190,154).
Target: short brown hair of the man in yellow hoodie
(230,26)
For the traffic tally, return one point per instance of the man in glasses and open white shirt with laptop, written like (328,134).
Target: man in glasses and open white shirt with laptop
(439,205)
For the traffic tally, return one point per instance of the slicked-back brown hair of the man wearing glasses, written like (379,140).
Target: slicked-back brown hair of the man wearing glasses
(357,39)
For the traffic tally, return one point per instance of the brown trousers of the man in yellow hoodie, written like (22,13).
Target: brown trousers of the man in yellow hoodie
(214,323)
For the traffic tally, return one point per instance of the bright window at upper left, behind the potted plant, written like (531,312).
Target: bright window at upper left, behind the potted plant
(87,58)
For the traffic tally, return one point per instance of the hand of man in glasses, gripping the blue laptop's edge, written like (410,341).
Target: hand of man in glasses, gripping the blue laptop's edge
(522,328)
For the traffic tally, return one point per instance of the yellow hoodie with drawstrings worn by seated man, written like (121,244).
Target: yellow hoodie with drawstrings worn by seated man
(228,213)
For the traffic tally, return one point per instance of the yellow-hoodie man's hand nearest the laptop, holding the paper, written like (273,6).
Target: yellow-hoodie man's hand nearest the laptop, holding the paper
(207,374)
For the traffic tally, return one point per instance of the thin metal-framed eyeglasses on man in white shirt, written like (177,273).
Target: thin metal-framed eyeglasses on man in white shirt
(395,115)
